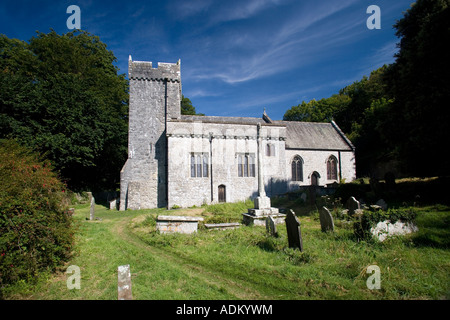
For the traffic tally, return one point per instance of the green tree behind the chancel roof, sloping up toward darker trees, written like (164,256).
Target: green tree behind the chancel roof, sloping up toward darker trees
(360,110)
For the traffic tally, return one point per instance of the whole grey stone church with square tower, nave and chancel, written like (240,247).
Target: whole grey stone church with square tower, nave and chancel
(176,160)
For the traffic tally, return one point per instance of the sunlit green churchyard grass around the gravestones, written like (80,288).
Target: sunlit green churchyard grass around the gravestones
(247,263)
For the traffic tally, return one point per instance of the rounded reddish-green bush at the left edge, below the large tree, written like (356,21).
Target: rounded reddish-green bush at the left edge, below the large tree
(36,231)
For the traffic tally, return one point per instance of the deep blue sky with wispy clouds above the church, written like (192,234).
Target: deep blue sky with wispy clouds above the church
(237,56)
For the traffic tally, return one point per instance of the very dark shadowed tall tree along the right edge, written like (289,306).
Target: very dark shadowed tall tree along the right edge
(419,82)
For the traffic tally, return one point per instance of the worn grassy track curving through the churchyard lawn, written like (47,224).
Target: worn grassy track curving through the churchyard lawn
(240,290)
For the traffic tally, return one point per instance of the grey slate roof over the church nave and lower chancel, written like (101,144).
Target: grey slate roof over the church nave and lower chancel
(299,135)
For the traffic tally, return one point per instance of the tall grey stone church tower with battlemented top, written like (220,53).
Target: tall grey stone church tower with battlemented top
(155,98)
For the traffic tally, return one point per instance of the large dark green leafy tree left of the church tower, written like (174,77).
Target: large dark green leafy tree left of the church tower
(62,95)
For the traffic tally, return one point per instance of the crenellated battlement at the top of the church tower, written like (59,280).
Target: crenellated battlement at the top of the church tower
(144,70)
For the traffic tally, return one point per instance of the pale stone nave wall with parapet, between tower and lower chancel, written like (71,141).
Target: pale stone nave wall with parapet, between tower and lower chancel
(227,141)
